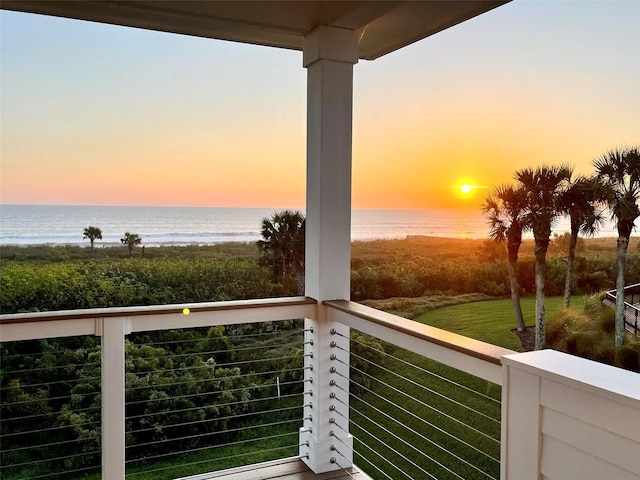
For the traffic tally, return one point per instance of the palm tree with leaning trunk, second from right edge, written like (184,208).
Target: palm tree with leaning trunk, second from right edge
(580,201)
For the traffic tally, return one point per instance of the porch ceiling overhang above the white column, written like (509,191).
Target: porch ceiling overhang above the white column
(382,26)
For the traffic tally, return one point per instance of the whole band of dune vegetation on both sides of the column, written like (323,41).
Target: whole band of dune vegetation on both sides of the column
(53,278)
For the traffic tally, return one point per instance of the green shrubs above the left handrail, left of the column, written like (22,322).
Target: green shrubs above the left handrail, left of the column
(30,286)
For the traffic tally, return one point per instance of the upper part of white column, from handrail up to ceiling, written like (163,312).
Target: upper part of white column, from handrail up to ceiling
(329,56)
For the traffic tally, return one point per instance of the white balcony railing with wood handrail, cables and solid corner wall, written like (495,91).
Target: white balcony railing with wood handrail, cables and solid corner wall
(369,395)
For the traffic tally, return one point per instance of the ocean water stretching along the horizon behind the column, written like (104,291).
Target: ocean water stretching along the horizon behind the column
(64,225)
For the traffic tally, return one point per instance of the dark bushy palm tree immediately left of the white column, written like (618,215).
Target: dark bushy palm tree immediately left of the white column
(282,247)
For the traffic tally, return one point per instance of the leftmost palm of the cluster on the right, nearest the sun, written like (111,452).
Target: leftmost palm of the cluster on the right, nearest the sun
(505,208)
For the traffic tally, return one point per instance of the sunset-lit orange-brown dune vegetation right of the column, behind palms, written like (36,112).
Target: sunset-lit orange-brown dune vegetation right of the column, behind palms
(417,267)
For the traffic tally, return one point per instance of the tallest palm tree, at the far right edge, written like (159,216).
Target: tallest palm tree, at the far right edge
(619,172)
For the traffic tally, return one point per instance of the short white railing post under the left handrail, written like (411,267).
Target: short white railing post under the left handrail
(113,398)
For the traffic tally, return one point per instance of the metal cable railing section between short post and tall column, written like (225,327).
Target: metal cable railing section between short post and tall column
(195,405)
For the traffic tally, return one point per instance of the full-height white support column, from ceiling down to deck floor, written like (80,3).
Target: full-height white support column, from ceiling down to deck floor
(329,56)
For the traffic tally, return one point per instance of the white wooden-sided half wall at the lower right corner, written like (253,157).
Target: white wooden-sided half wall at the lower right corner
(564,408)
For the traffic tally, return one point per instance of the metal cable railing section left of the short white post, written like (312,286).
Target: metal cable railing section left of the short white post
(50,416)
